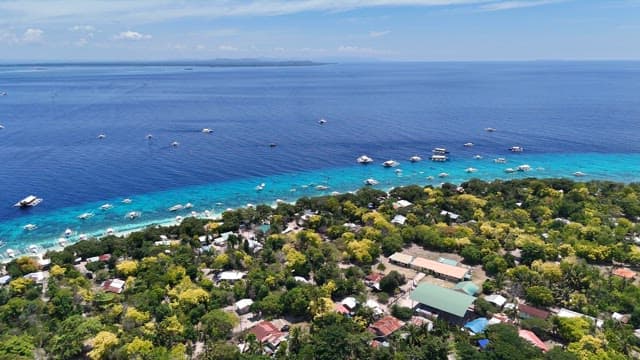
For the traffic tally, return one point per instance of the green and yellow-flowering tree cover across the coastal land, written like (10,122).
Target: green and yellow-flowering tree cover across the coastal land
(551,243)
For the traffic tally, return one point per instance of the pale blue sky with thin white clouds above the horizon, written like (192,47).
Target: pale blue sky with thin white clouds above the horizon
(429,30)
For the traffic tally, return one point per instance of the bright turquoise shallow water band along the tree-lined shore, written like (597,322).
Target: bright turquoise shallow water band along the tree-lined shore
(216,197)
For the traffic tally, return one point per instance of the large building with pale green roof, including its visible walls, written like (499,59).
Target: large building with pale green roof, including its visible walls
(450,304)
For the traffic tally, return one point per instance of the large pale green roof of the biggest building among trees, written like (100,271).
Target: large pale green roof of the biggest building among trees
(443,299)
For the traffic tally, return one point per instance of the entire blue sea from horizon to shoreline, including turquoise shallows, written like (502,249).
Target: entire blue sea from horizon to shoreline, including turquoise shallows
(568,116)
